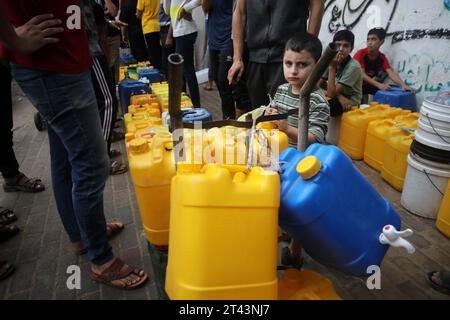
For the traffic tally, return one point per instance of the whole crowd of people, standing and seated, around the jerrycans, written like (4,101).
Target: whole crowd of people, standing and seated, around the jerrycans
(261,53)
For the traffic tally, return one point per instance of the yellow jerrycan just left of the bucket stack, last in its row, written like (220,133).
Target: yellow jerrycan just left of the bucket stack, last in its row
(394,165)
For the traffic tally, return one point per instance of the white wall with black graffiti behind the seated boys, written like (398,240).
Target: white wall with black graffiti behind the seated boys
(418,41)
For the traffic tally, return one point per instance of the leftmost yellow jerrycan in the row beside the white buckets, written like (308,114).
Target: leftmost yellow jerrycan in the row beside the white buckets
(354,125)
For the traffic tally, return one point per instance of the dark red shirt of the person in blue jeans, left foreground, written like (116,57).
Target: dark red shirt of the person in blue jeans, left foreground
(70,55)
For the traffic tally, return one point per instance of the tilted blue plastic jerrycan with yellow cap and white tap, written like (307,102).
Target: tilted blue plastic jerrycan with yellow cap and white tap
(332,211)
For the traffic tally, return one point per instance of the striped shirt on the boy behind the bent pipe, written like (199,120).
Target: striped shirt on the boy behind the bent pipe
(319,110)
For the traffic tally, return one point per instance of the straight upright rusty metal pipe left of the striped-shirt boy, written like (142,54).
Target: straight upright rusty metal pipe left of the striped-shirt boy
(175,75)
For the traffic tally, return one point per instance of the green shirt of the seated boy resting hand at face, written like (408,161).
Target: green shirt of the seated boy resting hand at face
(350,76)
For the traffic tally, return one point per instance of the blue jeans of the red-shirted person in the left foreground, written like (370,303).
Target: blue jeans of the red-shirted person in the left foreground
(79,160)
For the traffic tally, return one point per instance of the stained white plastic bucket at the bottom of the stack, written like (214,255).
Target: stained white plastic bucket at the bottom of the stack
(425,185)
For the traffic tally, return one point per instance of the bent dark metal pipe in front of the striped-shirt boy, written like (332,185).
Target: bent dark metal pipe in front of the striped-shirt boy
(305,92)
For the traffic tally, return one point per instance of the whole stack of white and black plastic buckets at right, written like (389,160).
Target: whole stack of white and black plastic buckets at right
(428,169)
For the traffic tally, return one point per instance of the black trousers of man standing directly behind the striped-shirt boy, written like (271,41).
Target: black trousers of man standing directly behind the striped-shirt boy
(263,79)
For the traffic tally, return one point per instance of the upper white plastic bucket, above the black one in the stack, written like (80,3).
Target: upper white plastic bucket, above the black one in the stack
(434,125)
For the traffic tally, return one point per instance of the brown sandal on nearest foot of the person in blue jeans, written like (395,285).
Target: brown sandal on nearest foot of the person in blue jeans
(115,275)
